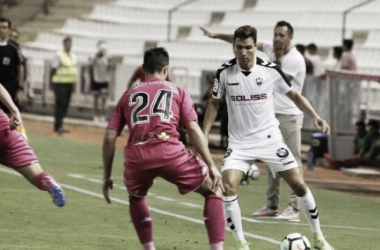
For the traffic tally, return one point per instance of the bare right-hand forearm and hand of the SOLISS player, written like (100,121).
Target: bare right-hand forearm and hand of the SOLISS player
(305,106)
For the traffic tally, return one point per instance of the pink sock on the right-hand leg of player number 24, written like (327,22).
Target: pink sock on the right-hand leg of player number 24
(214,220)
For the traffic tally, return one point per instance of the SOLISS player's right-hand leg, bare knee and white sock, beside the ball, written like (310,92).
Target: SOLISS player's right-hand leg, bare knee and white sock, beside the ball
(307,205)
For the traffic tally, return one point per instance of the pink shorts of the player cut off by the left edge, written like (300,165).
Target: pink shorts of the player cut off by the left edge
(14,151)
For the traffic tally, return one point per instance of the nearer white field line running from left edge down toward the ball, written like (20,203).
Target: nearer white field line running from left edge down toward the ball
(120,201)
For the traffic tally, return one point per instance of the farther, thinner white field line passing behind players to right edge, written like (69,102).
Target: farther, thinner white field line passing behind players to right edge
(248,219)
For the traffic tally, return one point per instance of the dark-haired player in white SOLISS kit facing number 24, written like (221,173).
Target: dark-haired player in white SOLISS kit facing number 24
(248,83)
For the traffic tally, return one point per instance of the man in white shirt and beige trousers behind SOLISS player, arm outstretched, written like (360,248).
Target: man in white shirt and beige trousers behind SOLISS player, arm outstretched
(292,63)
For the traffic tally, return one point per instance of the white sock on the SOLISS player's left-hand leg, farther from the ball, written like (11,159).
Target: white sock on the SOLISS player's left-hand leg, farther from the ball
(233,216)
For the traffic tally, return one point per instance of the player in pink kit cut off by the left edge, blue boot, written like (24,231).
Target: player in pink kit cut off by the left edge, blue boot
(15,153)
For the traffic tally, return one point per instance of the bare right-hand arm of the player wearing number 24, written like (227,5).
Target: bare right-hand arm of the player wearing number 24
(198,140)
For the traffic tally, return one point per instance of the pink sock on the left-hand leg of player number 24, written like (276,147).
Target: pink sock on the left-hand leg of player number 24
(141,219)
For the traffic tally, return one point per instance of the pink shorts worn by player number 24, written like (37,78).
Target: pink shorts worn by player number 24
(188,176)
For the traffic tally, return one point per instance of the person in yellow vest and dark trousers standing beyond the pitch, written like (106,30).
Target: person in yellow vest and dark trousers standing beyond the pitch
(63,74)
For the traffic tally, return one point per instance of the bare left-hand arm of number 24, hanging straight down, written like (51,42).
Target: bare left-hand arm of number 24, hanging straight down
(109,145)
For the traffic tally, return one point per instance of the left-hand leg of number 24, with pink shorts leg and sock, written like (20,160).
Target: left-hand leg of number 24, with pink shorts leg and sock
(138,184)
